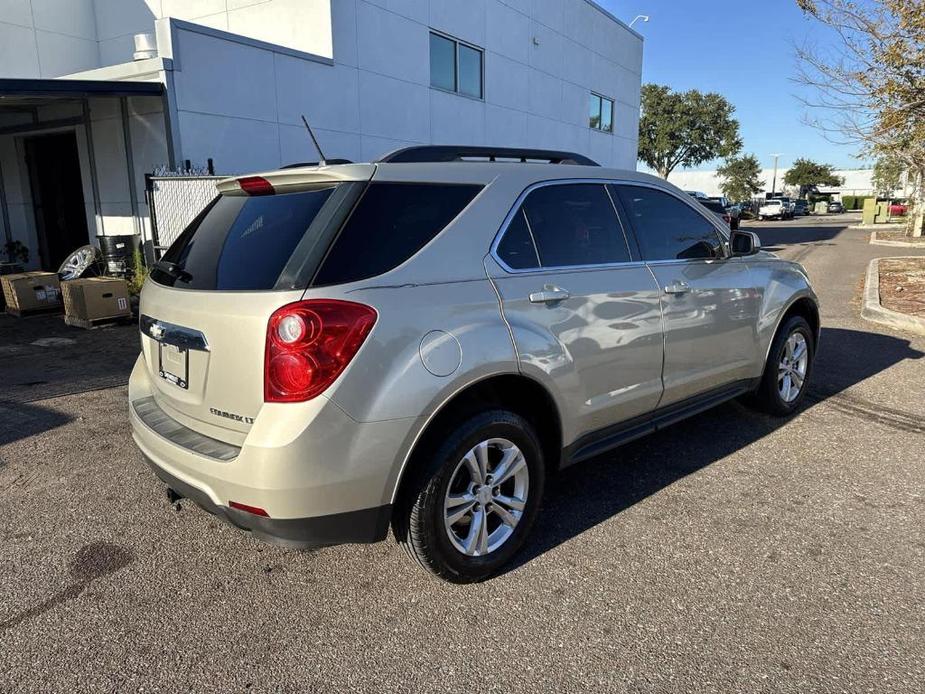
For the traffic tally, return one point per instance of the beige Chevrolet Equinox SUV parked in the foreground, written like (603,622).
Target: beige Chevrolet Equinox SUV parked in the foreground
(423,341)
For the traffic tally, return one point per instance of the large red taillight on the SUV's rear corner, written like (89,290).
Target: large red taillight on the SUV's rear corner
(309,343)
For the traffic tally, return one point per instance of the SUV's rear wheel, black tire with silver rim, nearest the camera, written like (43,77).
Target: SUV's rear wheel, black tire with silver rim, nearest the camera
(477,499)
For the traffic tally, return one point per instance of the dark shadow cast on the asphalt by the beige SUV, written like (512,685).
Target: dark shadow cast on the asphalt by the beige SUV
(585,495)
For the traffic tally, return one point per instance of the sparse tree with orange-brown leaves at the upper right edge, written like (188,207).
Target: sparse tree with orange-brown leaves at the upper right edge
(867,85)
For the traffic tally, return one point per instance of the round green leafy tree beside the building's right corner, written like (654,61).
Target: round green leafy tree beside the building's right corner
(685,128)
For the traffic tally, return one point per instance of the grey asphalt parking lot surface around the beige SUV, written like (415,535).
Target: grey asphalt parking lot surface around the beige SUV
(731,552)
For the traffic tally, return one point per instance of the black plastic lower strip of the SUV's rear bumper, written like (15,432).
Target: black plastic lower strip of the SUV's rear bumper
(366,525)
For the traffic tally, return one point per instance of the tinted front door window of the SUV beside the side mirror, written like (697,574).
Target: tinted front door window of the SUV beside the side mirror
(667,228)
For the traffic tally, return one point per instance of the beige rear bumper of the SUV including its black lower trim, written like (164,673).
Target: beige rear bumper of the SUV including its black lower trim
(321,477)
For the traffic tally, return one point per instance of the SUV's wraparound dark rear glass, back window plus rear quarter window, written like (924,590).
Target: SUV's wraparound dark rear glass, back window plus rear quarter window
(282,241)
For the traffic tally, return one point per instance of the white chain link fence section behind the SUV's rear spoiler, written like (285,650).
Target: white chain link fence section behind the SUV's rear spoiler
(174,201)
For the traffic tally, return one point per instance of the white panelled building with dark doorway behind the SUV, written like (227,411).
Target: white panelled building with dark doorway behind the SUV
(231,78)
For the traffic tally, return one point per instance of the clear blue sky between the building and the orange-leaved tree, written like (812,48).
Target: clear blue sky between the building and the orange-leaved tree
(744,50)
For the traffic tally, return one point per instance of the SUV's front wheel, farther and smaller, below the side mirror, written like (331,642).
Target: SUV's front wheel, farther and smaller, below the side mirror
(790,361)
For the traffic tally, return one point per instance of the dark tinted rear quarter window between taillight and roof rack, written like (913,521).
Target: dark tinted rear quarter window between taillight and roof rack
(391,223)
